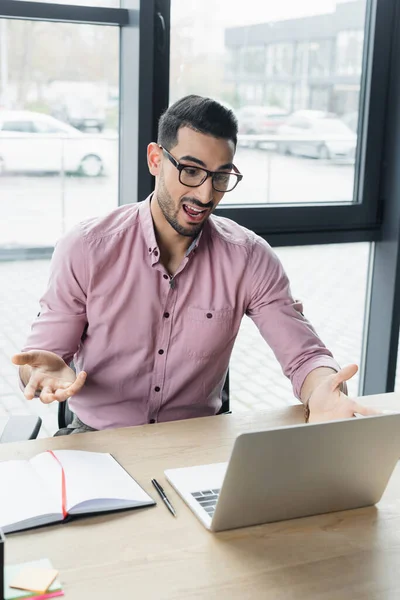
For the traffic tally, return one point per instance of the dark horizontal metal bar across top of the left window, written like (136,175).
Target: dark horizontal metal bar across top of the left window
(44,11)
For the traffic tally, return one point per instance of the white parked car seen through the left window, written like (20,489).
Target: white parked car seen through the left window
(34,142)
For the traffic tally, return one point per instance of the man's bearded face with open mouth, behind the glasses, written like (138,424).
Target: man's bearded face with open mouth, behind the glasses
(186,208)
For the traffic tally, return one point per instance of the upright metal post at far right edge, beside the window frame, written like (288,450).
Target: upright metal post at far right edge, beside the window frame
(379,360)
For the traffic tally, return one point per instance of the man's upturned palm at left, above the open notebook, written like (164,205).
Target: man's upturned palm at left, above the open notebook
(46,372)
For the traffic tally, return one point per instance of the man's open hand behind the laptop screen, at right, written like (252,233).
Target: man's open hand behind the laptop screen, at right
(328,403)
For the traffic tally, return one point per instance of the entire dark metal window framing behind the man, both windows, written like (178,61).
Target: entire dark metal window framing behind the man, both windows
(144,51)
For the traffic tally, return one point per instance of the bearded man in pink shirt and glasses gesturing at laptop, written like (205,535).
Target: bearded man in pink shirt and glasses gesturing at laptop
(148,300)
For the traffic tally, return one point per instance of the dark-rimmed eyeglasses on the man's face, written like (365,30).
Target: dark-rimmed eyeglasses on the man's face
(195,176)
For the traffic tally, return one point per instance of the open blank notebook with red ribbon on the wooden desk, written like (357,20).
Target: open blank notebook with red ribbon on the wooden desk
(55,485)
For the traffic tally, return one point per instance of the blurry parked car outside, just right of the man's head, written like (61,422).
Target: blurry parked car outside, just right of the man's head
(260,119)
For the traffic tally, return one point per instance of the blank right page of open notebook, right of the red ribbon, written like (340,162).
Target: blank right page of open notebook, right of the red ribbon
(92,476)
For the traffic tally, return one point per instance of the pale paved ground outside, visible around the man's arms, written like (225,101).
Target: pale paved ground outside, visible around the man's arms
(331,281)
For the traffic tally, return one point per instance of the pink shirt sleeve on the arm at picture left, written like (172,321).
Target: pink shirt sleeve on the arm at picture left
(62,318)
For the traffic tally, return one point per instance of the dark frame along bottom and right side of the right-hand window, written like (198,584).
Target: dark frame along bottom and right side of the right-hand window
(359,220)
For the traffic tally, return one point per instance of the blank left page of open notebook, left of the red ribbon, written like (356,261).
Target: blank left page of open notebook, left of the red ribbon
(23,496)
